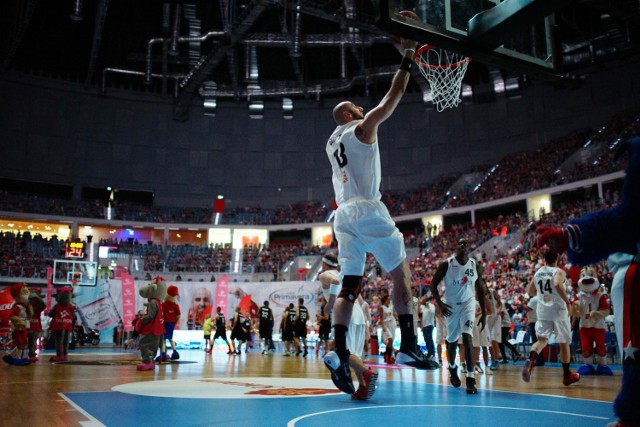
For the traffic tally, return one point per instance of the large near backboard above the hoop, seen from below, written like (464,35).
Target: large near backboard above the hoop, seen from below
(515,35)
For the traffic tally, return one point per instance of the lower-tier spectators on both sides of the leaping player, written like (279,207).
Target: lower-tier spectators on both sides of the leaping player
(508,271)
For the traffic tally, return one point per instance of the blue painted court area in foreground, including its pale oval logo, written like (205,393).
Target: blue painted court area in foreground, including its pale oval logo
(308,402)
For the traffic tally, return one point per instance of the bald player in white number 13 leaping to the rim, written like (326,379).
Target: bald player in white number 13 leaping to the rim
(362,222)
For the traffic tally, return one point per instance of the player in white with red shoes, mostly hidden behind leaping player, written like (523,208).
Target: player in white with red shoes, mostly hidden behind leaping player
(330,280)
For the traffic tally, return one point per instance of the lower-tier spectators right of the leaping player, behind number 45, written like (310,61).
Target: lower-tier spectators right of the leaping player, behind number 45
(508,271)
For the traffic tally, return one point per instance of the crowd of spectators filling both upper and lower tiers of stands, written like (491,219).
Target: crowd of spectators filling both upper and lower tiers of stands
(24,255)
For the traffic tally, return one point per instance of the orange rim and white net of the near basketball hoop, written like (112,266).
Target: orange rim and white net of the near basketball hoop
(444,71)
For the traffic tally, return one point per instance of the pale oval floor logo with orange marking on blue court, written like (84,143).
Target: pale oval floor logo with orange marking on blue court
(219,388)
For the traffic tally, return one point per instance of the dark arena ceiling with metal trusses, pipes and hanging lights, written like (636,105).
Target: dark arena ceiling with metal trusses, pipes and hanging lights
(183,51)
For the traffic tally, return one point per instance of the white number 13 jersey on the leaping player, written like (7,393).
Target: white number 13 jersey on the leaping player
(355,165)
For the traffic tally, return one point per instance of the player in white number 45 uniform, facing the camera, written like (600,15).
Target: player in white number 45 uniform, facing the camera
(461,282)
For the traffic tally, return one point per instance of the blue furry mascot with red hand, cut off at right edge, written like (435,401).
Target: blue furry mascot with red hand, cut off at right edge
(614,234)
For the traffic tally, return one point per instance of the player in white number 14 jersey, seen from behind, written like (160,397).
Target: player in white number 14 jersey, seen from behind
(553,316)
